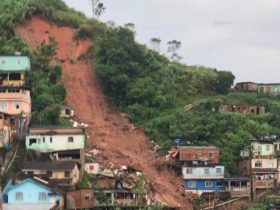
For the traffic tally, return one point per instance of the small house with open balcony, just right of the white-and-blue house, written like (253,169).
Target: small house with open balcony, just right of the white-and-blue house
(238,186)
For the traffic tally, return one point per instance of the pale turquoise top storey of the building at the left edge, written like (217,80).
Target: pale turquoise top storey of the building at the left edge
(14,63)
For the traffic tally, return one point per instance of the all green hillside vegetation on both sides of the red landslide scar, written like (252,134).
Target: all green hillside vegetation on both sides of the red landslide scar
(153,90)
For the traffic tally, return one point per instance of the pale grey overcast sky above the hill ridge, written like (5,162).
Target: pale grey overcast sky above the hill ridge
(242,36)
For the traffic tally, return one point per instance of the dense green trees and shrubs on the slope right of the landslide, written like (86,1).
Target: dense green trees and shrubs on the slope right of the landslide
(155,92)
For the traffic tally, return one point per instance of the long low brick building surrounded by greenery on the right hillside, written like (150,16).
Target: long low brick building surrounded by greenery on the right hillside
(243,109)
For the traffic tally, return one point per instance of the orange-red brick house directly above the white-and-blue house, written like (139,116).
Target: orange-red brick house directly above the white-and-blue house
(208,154)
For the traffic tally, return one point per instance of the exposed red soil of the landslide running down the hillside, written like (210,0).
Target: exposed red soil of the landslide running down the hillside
(109,131)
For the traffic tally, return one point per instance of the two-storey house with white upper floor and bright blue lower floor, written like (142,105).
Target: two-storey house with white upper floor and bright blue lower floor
(204,178)
